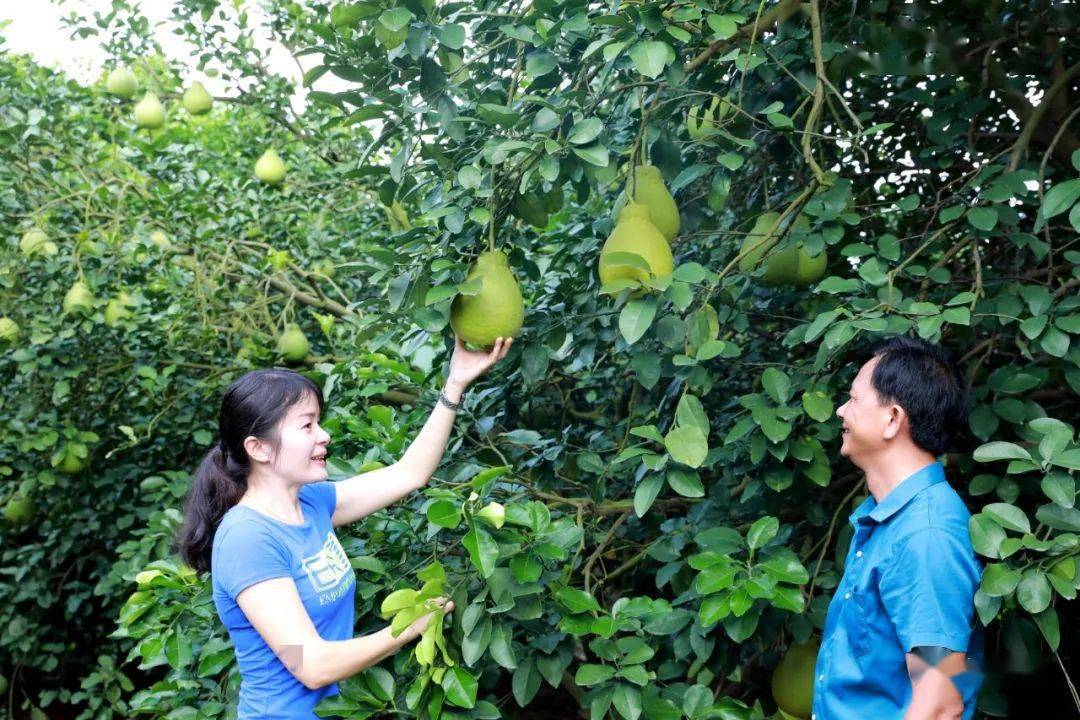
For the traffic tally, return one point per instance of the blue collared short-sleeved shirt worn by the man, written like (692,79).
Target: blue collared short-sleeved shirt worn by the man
(910,580)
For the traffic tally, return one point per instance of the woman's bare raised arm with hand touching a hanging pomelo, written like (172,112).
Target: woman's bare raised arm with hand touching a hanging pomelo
(363,495)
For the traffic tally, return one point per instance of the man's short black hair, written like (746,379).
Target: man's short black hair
(921,377)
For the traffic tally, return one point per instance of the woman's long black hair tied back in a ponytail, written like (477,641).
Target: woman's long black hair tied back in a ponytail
(253,405)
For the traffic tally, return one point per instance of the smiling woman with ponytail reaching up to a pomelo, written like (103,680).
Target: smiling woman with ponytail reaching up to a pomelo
(261,518)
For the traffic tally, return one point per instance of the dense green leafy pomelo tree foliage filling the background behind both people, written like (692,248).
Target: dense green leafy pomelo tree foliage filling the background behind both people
(676,509)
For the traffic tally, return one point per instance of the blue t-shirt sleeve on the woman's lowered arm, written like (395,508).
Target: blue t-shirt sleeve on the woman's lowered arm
(248,553)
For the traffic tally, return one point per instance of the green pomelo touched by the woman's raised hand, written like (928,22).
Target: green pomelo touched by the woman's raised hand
(497,310)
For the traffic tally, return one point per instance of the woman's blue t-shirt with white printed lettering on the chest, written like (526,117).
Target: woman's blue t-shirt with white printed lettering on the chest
(251,548)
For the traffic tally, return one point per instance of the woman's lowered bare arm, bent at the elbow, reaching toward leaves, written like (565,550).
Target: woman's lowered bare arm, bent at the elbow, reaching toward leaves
(275,609)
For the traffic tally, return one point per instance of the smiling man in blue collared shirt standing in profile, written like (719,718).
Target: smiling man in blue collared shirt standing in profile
(899,640)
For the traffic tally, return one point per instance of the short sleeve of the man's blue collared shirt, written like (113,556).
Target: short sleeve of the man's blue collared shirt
(928,590)
